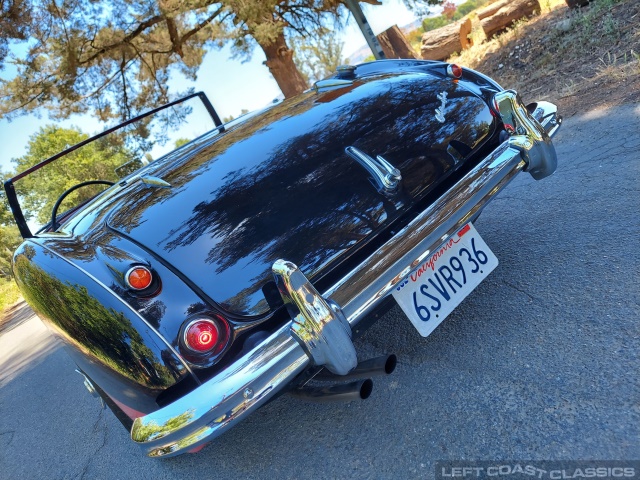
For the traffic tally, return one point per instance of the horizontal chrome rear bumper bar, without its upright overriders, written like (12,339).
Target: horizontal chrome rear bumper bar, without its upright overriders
(250,381)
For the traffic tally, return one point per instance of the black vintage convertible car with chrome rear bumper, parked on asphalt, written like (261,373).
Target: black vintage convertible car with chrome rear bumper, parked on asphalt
(240,266)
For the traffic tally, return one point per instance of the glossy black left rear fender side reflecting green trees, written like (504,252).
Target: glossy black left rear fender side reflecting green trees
(107,339)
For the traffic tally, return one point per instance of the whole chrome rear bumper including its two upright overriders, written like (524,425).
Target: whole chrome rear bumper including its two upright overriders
(319,332)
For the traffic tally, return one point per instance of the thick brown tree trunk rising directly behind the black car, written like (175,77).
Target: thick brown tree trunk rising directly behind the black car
(284,71)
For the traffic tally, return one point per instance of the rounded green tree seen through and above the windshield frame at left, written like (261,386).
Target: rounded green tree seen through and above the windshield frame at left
(96,161)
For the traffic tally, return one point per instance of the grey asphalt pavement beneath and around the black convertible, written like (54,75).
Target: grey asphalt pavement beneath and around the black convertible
(540,362)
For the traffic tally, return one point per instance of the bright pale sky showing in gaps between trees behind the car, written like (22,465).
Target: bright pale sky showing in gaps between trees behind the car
(231,85)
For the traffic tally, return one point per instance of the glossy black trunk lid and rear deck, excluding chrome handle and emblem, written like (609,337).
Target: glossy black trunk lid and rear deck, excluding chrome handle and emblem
(229,214)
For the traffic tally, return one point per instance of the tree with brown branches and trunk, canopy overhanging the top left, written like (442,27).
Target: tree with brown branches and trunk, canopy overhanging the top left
(115,58)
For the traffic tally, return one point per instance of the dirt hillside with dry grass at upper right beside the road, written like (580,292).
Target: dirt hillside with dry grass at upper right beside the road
(579,59)
